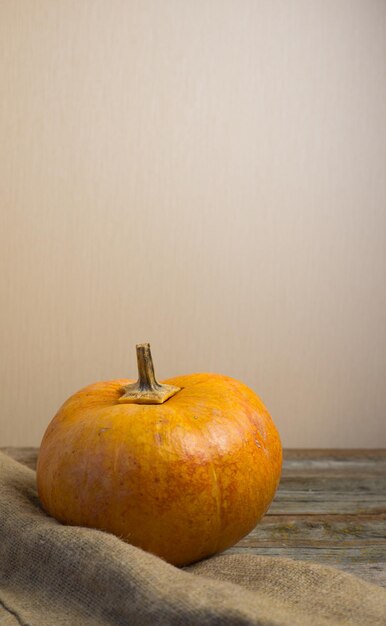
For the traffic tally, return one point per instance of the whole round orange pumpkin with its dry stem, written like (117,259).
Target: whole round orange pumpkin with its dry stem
(182,469)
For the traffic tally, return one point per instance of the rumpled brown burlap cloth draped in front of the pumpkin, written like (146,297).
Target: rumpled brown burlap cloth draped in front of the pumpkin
(54,575)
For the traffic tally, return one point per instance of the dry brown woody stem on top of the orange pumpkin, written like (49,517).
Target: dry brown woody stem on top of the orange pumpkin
(147,390)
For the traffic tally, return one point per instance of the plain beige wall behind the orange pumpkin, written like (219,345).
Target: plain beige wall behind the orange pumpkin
(210,176)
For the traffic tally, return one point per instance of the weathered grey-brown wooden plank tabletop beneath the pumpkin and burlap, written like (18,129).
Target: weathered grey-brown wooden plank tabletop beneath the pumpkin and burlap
(330,508)
